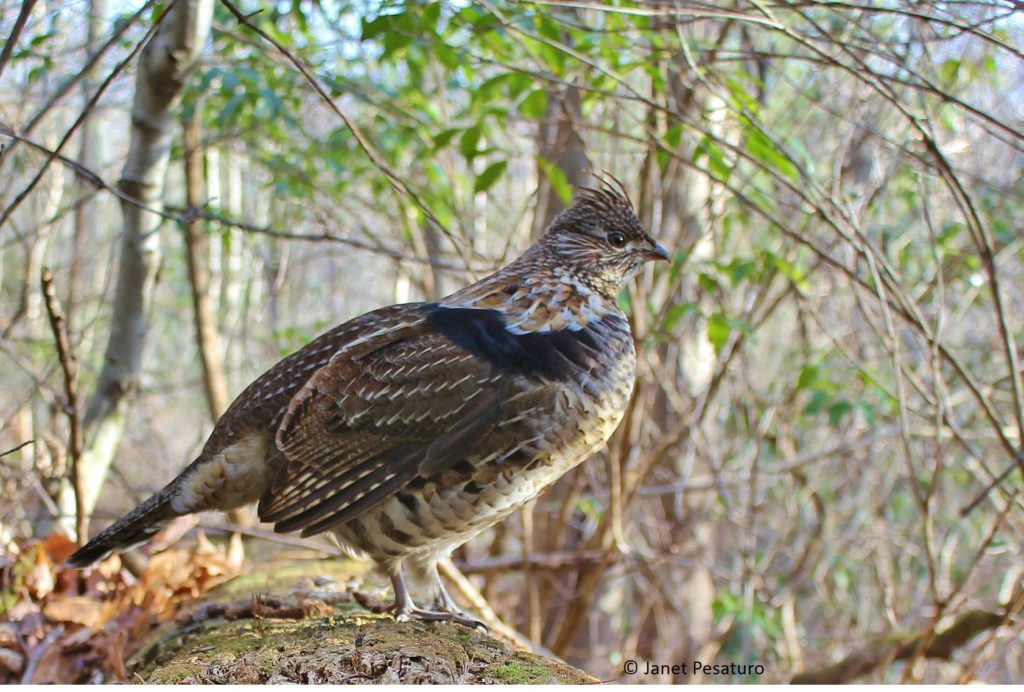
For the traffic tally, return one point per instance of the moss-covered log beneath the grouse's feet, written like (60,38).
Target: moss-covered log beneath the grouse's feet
(279,625)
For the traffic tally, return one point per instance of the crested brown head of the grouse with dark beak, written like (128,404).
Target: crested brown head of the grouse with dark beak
(601,241)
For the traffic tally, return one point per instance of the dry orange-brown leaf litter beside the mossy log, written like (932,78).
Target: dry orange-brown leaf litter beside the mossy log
(60,625)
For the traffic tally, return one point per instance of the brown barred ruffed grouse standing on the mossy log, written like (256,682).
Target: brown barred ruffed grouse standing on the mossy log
(410,429)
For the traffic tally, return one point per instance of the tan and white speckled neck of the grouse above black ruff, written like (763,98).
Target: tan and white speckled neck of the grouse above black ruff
(536,293)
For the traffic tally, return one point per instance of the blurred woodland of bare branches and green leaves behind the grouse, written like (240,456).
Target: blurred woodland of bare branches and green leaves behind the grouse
(822,468)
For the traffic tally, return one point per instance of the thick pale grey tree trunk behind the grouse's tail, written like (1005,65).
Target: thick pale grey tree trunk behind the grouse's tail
(165,64)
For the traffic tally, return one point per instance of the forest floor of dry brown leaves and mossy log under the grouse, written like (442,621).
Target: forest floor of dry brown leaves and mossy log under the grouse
(195,616)
